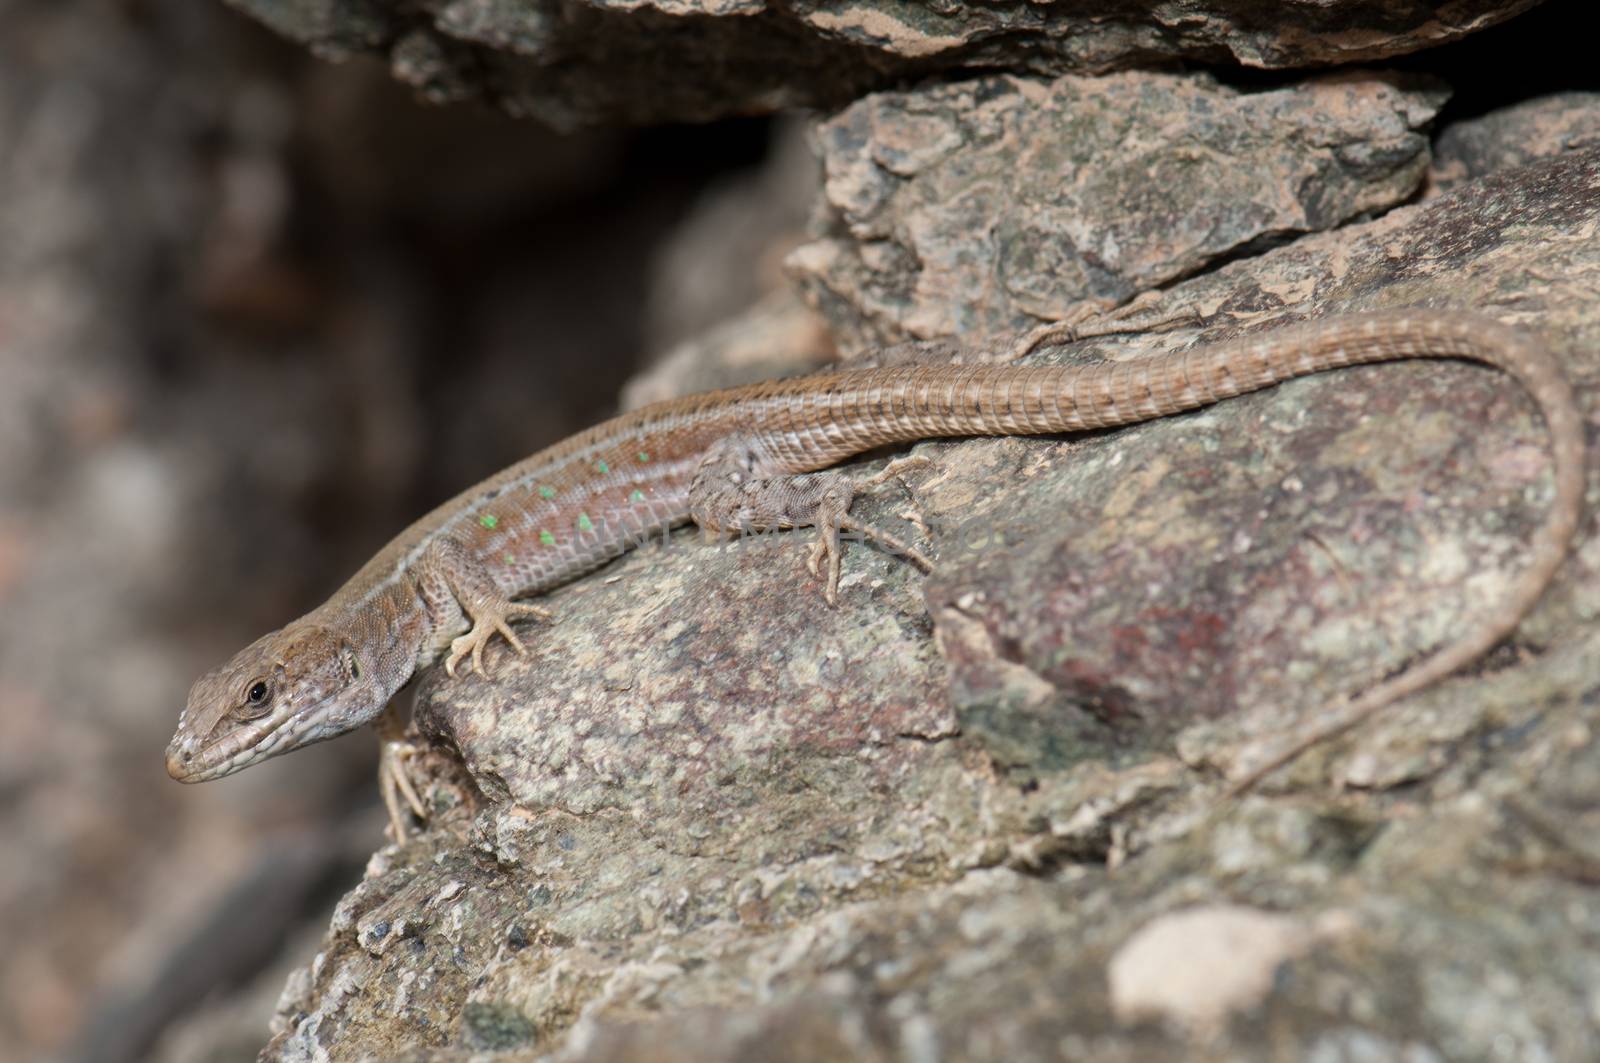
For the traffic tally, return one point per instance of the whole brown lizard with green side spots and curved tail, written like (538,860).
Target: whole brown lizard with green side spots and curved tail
(759,459)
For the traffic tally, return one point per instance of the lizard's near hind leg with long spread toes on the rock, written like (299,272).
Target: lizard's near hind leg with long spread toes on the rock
(729,495)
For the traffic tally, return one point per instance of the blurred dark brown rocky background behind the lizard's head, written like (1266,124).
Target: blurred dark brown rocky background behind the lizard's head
(258,311)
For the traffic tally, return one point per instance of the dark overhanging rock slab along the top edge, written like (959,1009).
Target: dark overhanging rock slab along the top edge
(574,63)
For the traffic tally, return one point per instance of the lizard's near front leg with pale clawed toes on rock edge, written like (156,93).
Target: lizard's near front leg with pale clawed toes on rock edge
(460,593)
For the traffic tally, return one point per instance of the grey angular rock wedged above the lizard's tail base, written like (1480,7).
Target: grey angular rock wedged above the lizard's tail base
(969,209)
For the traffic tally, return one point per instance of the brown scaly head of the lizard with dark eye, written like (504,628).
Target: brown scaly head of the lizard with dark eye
(289,689)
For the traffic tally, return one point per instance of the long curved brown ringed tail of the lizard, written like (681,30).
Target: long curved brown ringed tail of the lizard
(1012,401)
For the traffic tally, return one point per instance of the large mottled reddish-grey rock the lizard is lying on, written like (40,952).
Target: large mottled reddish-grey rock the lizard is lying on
(967,816)
